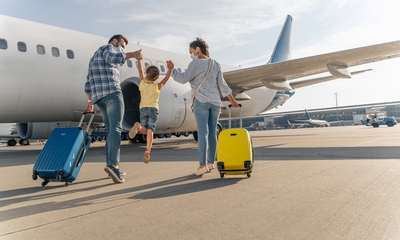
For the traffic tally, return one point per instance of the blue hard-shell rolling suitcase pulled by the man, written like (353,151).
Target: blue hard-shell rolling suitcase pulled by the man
(62,157)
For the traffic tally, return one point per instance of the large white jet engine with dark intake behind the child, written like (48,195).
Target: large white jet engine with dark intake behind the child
(174,106)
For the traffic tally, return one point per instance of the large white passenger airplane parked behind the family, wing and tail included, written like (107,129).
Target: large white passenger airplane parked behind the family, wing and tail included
(43,70)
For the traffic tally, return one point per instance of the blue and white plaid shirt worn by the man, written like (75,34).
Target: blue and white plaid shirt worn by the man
(103,74)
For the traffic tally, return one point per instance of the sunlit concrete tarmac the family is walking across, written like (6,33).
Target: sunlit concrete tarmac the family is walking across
(311,183)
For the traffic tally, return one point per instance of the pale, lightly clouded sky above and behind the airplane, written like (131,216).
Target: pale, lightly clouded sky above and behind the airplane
(244,33)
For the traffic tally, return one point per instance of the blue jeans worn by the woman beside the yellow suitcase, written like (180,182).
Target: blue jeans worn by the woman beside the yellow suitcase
(206,115)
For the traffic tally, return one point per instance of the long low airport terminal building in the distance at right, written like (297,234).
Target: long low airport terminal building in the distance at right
(345,115)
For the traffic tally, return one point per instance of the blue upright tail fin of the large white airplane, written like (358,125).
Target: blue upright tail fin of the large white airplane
(282,50)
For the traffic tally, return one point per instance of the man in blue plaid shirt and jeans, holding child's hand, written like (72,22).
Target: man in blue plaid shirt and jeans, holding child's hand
(103,89)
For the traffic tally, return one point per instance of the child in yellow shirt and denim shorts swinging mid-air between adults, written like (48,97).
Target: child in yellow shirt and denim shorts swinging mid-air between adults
(149,93)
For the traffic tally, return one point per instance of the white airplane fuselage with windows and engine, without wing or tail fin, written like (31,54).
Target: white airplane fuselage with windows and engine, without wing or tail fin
(44,68)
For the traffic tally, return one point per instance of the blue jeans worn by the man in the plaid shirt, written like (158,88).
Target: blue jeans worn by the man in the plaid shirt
(112,108)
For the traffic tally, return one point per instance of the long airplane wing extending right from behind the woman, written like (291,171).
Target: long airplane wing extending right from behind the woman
(278,75)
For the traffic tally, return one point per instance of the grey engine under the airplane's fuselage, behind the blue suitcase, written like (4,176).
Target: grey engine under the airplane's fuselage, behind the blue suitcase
(40,130)
